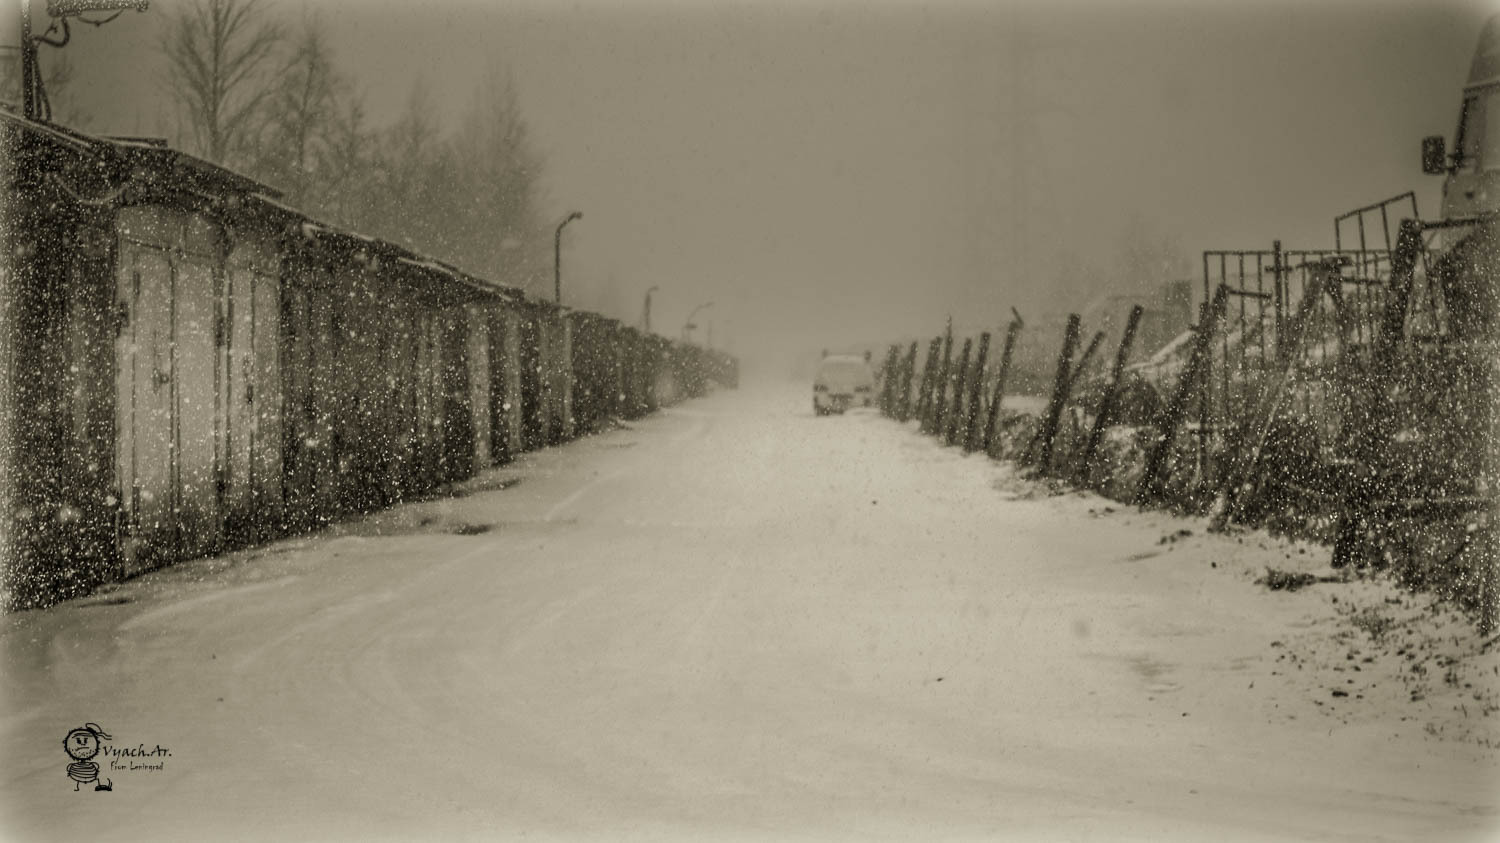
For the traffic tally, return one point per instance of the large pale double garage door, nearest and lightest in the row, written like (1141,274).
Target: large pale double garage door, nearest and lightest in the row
(197,361)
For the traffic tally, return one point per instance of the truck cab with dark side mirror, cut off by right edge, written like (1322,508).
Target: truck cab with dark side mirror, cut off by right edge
(1474,170)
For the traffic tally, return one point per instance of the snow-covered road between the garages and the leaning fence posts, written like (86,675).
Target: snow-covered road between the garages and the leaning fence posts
(728,622)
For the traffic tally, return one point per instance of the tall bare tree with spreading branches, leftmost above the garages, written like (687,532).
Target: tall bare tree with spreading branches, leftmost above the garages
(218,55)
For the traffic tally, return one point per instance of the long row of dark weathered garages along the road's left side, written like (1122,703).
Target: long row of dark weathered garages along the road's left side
(190,365)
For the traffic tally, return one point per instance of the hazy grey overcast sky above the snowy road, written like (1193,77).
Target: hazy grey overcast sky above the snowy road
(839,172)
